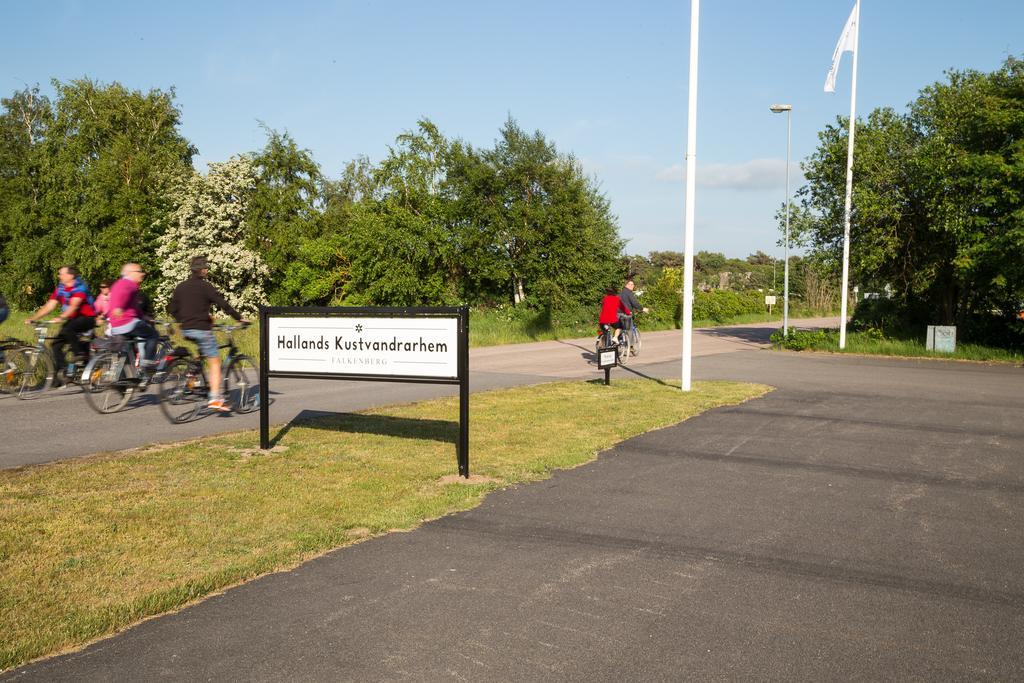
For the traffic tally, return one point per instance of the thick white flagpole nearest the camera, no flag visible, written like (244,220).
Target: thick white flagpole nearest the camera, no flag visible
(692,163)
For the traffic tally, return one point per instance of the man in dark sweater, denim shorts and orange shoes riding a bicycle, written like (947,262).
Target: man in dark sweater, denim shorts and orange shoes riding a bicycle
(191,308)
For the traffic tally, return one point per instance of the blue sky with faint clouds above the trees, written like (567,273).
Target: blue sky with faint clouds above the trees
(605,81)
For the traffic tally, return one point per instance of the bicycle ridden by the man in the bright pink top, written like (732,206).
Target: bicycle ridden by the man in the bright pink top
(114,375)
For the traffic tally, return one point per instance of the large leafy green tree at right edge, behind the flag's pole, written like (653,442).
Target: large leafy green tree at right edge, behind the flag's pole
(938,207)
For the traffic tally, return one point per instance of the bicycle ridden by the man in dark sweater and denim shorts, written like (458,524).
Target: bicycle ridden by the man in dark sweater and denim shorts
(185,390)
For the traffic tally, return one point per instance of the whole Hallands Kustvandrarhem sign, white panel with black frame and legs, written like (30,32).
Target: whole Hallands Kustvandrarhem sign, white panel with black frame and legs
(417,346)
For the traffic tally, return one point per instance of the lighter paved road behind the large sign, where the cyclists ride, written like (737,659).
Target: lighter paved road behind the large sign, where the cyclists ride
(62,425)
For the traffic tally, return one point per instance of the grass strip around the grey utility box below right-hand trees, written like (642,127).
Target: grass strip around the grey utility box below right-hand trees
(873,345)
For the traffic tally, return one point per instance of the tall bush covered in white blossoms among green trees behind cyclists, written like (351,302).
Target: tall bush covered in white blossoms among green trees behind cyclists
(210,221)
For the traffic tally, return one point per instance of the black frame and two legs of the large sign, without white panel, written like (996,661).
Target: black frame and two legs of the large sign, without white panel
(461,313)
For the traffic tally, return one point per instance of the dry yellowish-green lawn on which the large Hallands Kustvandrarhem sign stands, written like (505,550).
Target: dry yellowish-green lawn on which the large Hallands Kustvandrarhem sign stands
(93,545)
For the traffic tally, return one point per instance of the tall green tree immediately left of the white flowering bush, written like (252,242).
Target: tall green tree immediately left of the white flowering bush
(111,158)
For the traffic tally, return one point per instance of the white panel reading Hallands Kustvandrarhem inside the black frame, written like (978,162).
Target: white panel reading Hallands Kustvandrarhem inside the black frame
(372,347)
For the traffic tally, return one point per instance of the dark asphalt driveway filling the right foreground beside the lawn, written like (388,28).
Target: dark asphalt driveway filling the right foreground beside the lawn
(863,522)
